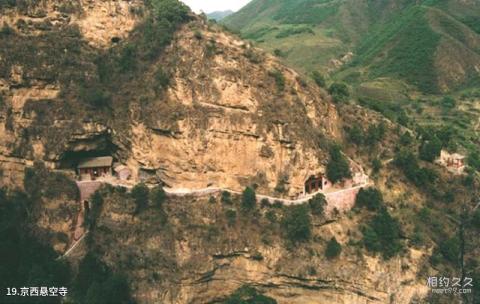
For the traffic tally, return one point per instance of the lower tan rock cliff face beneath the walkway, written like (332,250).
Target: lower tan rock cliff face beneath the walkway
(192,253)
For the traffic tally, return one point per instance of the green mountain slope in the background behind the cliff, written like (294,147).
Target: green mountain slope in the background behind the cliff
(391,32)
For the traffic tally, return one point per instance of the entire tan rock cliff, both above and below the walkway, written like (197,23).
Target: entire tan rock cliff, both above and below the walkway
(209,109)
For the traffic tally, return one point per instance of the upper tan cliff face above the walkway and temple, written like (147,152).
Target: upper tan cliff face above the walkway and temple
(231,116)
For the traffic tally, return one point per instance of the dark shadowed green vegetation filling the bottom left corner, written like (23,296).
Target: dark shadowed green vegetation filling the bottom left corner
(26,261)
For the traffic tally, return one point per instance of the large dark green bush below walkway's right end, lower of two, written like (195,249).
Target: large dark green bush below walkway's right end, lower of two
(383,234)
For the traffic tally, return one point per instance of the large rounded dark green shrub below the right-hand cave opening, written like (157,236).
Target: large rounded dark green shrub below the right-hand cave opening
(296,223)
